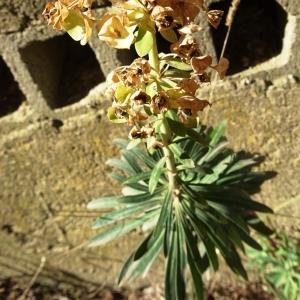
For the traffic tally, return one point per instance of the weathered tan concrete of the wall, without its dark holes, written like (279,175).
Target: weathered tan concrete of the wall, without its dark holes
(52,162)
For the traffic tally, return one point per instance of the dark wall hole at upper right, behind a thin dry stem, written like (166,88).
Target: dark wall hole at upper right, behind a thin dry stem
(257,33)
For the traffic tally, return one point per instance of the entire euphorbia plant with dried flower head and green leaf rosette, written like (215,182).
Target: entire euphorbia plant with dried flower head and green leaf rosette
(181,183)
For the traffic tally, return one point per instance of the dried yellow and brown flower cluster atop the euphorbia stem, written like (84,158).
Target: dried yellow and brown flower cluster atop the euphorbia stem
(147,88)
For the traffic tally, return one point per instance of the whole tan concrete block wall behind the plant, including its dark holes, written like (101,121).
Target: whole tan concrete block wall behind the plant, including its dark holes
(55,139)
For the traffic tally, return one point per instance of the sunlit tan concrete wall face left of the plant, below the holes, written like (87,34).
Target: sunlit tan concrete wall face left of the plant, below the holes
(47,177)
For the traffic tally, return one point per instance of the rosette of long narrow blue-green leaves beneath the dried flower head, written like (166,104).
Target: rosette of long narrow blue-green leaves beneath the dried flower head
(211,213)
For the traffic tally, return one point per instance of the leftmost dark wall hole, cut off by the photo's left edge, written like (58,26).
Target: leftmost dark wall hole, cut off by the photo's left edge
(11,97)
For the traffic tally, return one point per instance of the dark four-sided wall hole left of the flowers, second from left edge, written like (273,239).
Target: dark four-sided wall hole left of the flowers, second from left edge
(64,70)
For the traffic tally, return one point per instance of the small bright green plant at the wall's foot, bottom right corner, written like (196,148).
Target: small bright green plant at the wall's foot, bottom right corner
(279,265)
